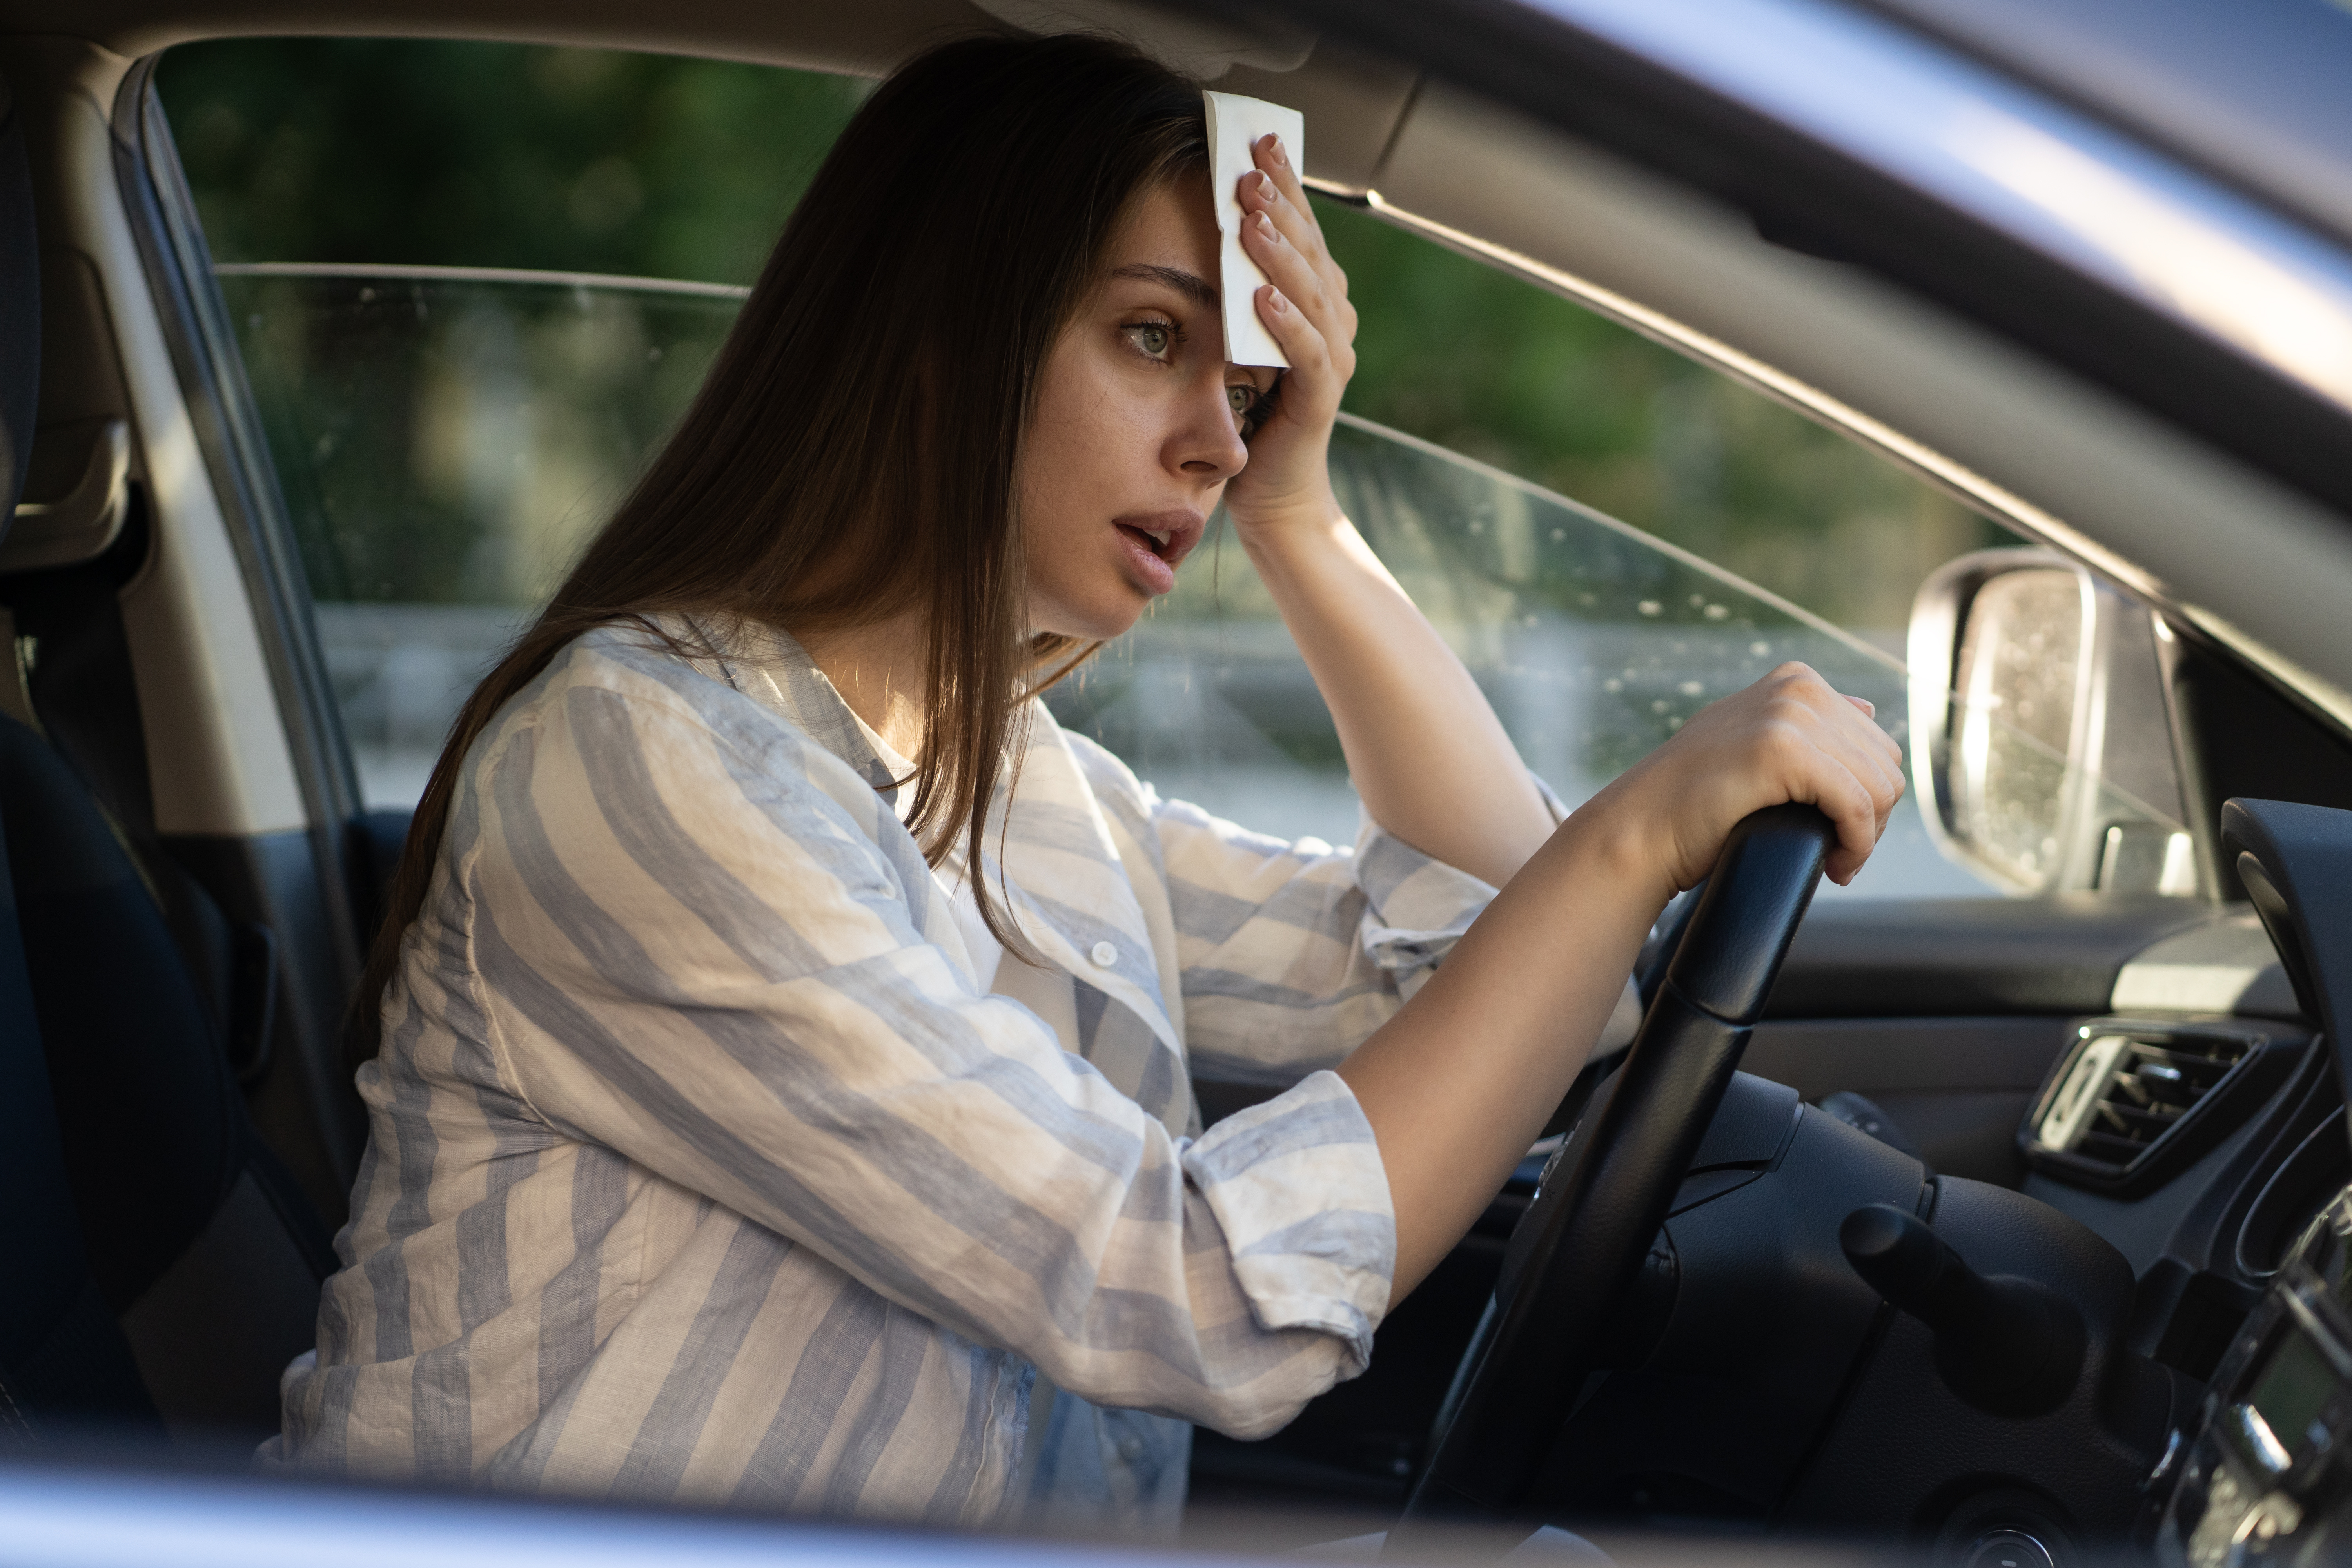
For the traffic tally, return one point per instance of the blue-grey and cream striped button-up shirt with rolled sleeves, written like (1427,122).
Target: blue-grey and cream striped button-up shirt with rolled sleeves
(702,1167)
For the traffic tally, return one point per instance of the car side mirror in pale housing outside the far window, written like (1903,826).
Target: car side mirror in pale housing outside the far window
(2043,737)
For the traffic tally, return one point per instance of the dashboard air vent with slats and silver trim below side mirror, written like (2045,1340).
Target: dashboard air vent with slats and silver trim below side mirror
(2127,1094)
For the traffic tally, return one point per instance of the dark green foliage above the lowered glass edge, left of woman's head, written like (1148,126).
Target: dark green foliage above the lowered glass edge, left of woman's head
(460,154)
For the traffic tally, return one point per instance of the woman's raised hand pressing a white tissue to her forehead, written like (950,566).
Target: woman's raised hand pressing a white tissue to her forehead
(1307,309)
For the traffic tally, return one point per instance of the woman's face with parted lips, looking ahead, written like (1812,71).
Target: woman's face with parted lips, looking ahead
(1137,424)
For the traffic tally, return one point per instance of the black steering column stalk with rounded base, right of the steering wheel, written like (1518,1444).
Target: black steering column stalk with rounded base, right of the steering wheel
(2003,1343)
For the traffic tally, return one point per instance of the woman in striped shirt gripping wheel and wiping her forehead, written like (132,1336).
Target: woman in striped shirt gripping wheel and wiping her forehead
(780,1033)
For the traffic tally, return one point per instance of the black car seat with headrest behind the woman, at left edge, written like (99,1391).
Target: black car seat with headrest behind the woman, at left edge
(166,1264)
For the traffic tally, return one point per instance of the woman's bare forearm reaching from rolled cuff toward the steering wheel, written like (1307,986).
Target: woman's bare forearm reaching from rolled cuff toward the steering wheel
(1462,1080)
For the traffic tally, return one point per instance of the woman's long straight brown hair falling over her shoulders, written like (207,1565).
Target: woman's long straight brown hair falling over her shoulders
(855,450)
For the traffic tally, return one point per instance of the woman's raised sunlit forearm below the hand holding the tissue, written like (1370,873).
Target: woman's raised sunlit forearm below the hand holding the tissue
(1424,746)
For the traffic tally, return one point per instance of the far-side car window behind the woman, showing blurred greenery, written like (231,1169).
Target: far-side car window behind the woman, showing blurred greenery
(1608,532)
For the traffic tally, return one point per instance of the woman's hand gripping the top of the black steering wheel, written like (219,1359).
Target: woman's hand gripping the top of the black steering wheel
(1786,739)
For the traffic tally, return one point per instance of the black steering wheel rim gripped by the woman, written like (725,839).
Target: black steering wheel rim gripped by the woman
(1605,1195)
